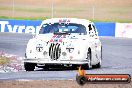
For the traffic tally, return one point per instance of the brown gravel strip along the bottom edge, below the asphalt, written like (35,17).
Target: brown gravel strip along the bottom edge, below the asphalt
(56,84)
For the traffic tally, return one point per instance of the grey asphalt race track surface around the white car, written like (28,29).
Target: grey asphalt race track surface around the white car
(117,58)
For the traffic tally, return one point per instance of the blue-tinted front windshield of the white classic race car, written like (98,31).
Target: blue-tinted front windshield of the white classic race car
(62,28)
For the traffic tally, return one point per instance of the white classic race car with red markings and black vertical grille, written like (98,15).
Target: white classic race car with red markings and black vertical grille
(68,42)
